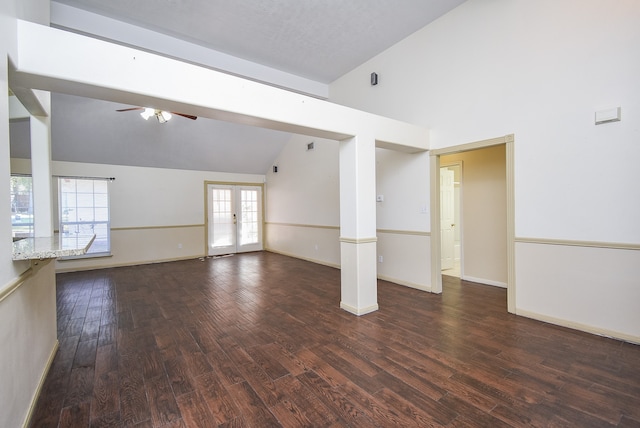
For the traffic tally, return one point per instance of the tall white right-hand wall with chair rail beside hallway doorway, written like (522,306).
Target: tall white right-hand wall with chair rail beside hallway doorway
(538,70)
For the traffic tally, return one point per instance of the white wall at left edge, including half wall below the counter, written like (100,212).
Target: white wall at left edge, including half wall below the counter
(27,297)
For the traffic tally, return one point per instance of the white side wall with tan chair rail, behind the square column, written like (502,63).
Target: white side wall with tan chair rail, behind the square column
(303,209)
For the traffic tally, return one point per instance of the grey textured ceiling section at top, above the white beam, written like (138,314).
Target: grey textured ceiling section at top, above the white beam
(316,39)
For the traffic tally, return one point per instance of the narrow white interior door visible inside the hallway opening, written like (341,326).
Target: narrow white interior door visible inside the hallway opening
(447,216)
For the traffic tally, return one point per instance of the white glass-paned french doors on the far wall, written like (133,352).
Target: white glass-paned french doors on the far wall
(234,219)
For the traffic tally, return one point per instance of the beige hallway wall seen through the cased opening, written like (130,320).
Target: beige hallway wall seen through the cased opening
(484,214)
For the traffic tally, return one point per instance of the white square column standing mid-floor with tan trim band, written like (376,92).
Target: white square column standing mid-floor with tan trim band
(359,290)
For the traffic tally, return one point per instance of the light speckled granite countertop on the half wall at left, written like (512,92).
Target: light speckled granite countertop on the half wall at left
(51,247)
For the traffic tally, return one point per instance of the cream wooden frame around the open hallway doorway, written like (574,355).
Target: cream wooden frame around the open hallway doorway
(434,166)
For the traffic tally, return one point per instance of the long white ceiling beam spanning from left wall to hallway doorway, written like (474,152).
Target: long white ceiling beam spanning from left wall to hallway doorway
(60,61)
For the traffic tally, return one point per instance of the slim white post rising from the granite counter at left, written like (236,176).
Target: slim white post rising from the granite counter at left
(41,175)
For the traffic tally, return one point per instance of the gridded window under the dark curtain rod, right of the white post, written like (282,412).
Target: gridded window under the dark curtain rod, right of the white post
(84,210)
